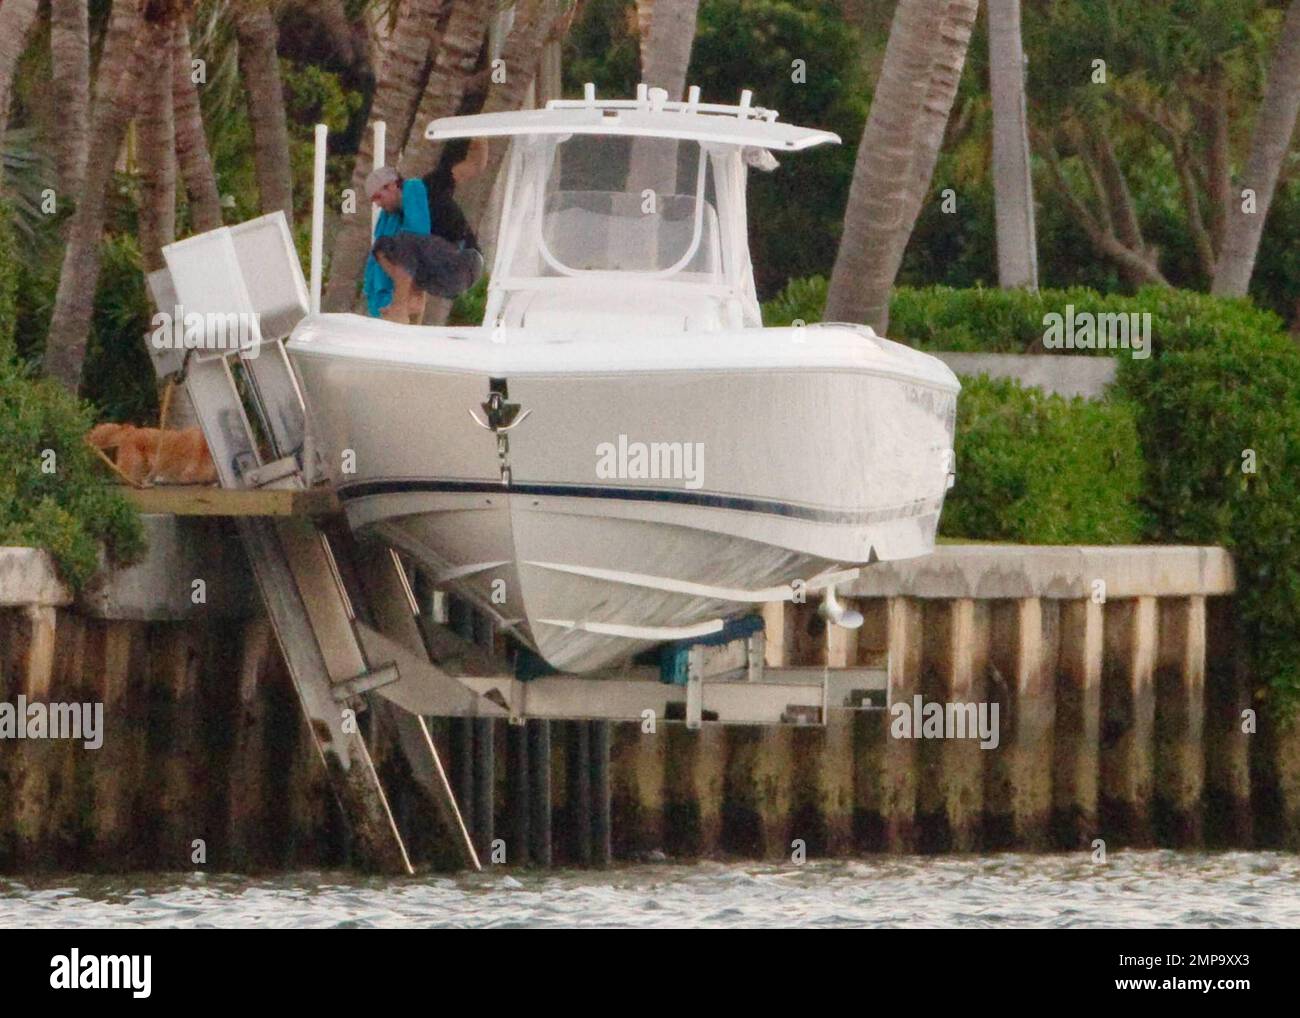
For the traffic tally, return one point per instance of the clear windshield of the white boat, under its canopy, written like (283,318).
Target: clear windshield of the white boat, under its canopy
(604,203)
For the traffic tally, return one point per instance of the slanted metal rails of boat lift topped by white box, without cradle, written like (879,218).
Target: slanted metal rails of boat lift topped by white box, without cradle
(249,278)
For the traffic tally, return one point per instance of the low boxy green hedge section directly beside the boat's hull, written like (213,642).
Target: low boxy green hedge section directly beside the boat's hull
(1039,469)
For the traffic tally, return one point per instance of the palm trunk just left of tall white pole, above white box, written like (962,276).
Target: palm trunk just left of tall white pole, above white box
(259,67)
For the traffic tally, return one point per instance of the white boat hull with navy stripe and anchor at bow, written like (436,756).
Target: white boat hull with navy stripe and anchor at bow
(609,497)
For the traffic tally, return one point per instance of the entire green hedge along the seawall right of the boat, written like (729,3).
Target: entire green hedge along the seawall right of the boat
(1221,388)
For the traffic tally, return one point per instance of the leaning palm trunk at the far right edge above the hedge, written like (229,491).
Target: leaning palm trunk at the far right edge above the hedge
(1269,146)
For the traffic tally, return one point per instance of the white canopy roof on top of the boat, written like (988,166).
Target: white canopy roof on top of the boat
(629,118)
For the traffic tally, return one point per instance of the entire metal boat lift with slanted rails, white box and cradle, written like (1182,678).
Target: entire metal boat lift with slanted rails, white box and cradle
(345,616)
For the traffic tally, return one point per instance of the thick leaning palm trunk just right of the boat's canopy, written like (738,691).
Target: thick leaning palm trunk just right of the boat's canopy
(898,153)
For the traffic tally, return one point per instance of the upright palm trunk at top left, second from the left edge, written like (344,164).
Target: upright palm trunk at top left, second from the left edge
(70,58)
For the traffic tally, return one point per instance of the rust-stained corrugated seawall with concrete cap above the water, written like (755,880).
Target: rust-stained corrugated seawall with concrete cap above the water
(1125,717)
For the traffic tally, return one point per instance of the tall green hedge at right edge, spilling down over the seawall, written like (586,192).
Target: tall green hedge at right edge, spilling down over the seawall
(1206,413)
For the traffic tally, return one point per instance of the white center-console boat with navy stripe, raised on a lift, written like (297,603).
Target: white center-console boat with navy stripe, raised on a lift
(622,454)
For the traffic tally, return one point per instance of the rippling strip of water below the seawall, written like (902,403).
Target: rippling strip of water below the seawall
(1133,890)
